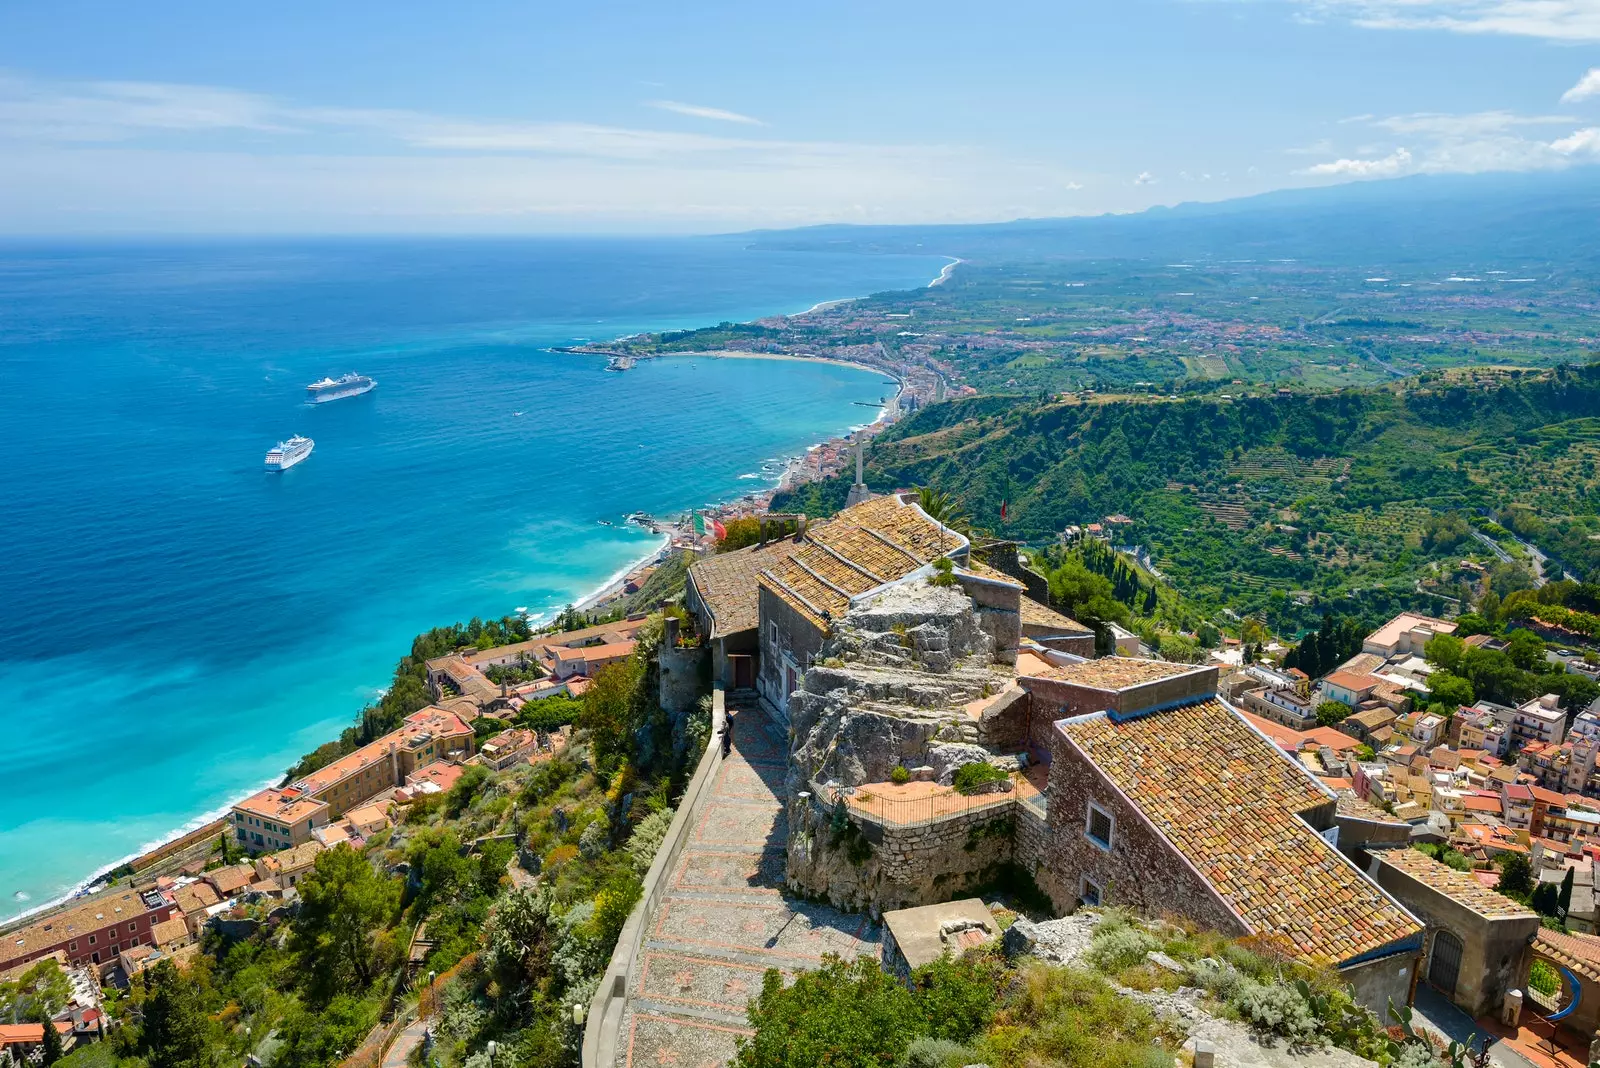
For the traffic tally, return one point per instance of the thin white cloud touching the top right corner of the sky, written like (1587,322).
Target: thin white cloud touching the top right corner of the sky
(1551,20)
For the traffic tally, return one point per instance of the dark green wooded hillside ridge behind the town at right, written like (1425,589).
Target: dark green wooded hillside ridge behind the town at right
(1266,503)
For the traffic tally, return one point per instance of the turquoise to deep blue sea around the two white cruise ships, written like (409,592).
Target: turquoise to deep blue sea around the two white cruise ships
(178,626)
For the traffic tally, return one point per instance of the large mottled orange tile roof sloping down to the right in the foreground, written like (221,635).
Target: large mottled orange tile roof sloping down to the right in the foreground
(1231,803)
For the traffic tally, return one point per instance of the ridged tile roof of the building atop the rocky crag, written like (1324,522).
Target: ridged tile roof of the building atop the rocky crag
(855,552)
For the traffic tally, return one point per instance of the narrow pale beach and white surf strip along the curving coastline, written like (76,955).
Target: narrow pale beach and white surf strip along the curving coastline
(602,592)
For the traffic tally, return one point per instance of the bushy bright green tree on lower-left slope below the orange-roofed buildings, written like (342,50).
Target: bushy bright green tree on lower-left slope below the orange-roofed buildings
(343,906)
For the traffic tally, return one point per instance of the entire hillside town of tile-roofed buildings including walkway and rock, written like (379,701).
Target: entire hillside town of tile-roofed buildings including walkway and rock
(910,712)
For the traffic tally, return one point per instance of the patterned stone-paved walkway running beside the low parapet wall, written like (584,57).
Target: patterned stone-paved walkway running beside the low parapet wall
(726,920)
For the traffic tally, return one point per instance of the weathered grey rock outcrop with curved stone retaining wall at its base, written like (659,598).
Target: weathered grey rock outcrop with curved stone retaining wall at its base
(890,690)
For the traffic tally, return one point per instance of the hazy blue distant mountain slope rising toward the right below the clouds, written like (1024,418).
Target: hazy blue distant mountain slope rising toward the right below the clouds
(1545,218)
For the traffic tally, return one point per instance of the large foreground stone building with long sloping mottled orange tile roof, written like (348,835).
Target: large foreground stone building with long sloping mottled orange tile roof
(1175,805)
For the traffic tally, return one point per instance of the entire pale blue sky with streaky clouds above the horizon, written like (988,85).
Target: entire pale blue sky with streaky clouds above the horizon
(700,118)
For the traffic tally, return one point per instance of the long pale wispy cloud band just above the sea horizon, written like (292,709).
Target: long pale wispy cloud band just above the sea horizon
(180,157)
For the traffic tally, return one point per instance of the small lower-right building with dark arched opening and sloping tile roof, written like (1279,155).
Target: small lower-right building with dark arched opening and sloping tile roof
(1478,938)
